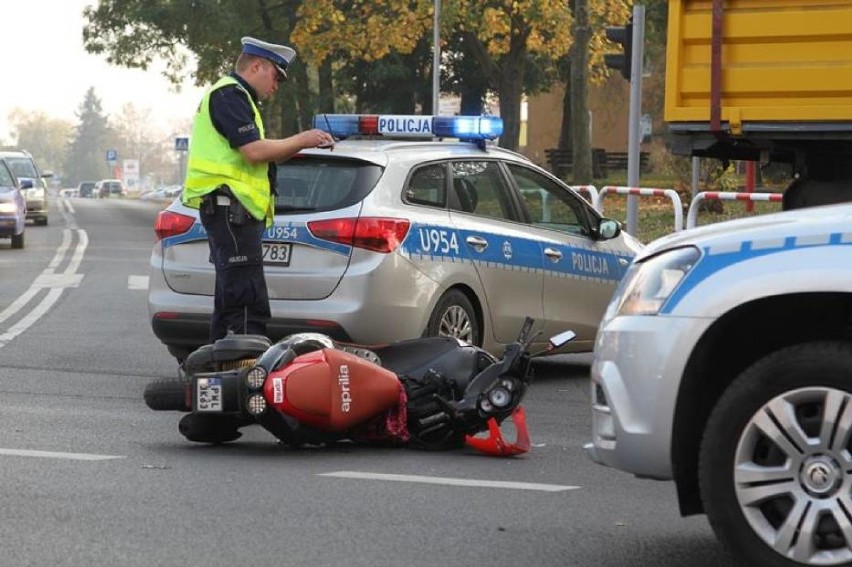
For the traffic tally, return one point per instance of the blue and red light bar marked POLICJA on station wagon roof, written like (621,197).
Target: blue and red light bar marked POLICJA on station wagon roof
(466,128)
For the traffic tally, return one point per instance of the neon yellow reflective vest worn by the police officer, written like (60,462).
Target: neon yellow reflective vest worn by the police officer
(213,162)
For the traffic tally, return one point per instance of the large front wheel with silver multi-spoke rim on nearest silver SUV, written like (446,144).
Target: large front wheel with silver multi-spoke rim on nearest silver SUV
(775,467)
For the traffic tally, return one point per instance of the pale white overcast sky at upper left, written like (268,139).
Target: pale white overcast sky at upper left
(46,69)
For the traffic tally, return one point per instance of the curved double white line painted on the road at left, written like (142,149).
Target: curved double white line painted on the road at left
(55,283)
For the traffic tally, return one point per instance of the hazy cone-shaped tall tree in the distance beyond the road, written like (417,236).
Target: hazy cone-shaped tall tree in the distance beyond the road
(87,151)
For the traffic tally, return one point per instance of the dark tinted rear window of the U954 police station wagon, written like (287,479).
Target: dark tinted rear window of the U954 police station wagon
(308,183)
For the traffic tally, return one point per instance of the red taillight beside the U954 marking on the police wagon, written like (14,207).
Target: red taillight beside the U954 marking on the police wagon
(373,233)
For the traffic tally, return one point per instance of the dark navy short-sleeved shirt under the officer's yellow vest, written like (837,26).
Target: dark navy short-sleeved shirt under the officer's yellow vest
(232,117)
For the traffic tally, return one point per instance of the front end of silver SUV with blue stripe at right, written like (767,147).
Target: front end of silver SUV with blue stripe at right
(724,362)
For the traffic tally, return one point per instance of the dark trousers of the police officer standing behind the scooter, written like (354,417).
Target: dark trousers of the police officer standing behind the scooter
(241,300)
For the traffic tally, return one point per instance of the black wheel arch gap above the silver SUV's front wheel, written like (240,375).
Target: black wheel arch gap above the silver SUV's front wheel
(734,342)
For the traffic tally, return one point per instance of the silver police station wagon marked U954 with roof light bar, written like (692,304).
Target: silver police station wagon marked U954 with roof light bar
(396,233)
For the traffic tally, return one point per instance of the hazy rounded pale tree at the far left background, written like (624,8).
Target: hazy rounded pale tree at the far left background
(44,137)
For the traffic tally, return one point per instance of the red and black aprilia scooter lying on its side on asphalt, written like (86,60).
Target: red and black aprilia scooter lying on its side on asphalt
(433,393)
